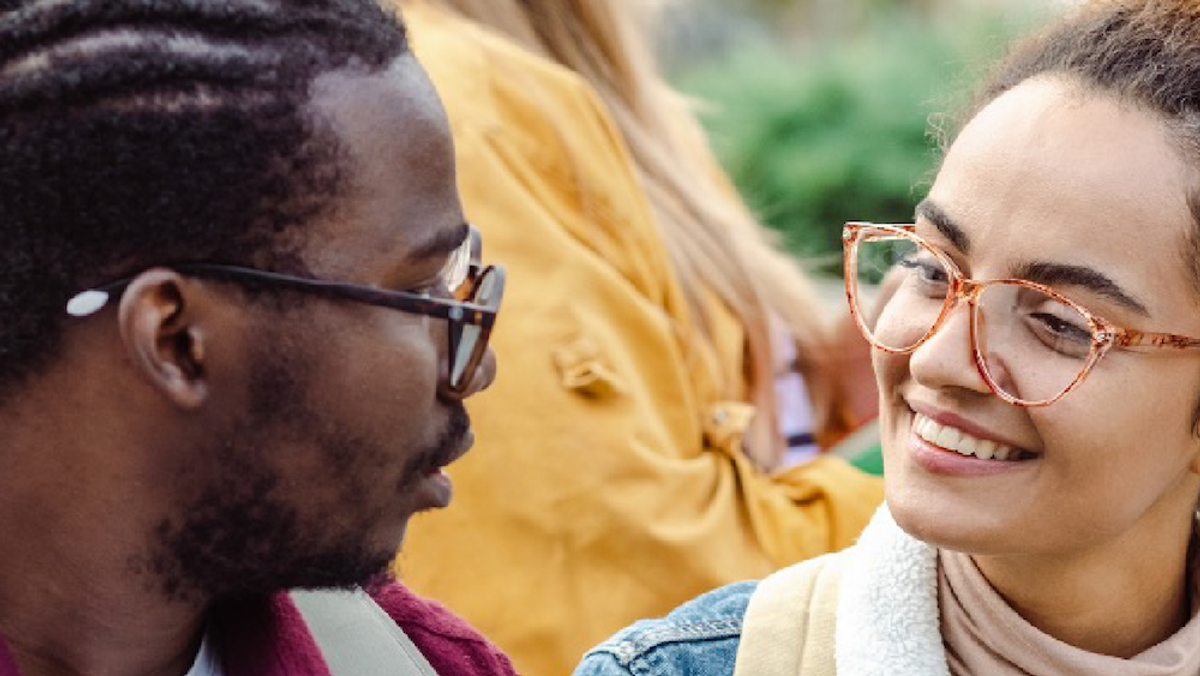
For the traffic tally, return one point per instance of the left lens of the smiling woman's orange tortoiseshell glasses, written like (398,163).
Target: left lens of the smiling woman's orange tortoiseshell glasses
(922,285)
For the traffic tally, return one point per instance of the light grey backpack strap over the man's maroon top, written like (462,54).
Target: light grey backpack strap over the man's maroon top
(357,638)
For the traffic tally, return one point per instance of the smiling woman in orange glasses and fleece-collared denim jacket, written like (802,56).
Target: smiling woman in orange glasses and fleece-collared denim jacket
(1040,394)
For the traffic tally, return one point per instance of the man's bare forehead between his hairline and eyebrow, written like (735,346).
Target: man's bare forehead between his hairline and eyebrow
(400,201)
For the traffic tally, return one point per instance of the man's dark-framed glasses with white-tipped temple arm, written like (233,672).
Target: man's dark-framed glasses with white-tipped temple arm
(471,312)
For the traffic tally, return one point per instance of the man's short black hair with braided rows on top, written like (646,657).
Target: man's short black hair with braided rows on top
(142,133)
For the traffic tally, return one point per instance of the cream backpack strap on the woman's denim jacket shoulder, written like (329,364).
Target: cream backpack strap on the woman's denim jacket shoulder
(790,623)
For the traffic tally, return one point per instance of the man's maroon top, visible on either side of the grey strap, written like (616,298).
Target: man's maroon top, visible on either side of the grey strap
(268,638)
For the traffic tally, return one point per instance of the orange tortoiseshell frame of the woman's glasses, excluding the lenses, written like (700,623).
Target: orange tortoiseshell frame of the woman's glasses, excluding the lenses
(1106,336)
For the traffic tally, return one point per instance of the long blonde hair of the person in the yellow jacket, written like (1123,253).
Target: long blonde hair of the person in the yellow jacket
(712,240)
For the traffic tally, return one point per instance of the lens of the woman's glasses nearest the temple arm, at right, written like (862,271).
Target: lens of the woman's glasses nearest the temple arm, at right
(1034,345)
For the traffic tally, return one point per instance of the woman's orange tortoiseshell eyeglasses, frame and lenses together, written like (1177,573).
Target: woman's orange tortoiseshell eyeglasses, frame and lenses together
(1031,344)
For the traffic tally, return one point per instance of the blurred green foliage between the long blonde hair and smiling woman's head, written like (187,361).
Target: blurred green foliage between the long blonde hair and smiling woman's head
(843,129)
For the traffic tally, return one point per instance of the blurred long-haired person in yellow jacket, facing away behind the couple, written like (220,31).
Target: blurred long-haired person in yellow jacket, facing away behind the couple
(634,452)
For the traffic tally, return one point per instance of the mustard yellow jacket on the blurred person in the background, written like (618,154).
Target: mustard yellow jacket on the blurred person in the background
(608,482)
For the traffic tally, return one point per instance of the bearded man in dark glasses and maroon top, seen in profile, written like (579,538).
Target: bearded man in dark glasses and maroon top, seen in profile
(242,310)
